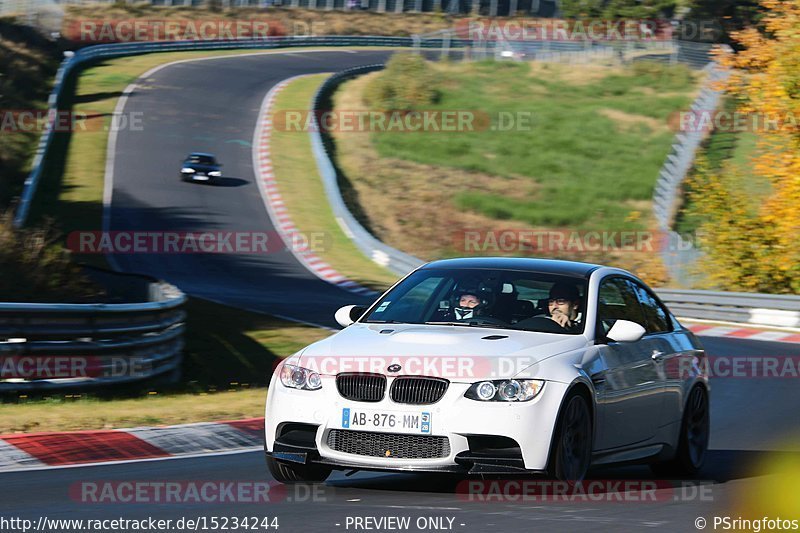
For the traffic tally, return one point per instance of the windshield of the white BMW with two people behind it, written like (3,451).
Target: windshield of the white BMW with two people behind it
(506,299)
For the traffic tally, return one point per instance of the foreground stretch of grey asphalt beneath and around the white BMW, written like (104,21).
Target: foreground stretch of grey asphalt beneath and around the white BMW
(750,417)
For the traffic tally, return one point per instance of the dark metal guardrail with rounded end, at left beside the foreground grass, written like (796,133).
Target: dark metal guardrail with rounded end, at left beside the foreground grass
(70,346)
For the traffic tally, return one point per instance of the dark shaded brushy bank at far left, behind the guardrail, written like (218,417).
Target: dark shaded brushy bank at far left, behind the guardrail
(33,267)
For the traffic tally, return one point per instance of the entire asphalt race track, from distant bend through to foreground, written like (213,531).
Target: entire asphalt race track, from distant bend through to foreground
(211,106)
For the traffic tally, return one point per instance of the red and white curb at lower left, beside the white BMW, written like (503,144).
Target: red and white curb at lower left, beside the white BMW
(35,451)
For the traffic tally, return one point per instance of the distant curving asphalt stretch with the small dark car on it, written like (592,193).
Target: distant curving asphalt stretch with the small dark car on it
(212,106)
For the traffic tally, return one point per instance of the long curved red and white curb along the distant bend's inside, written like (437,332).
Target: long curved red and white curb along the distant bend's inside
(268,186)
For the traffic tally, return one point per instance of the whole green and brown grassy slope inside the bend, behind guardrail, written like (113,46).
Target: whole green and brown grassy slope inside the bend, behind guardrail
(589,160)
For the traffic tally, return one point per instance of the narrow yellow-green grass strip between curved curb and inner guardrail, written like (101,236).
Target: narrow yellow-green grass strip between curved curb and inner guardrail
(304,194)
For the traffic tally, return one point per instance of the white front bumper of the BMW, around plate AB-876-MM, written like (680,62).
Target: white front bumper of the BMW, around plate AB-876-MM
(462,421)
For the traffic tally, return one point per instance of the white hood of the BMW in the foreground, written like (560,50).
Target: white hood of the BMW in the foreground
(451,352)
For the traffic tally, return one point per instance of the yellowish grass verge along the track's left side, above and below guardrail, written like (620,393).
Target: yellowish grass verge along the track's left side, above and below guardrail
(229,354)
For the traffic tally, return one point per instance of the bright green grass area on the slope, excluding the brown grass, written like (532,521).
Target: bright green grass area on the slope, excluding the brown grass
(594,147)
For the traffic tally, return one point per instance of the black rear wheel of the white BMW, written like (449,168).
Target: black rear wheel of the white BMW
(693,440)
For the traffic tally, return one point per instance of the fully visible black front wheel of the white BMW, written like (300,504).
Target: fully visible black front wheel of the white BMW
(571,452)
